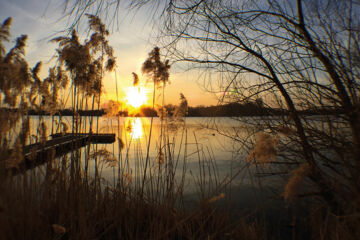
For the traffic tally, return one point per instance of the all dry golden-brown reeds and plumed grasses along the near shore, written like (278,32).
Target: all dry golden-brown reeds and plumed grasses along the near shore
(145,198)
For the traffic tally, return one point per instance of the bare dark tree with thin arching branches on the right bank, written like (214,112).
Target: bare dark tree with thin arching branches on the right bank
(297,55)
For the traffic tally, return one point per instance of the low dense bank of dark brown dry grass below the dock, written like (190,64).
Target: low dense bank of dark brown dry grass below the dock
(55,202)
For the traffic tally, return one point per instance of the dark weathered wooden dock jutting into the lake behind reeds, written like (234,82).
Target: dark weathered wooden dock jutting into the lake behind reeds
(60,144)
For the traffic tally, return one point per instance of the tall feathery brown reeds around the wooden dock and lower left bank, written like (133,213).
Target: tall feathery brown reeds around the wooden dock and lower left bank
(67,197)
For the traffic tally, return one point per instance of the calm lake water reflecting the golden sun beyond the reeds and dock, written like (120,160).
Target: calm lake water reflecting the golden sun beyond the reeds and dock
(202,152)
